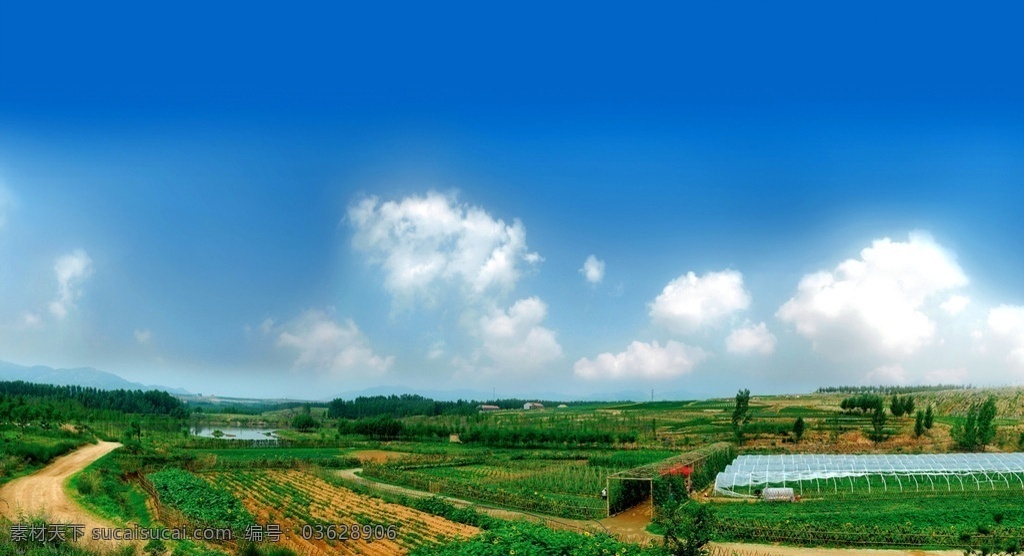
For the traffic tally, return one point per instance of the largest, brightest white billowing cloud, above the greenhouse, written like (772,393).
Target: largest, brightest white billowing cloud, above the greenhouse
(874,304)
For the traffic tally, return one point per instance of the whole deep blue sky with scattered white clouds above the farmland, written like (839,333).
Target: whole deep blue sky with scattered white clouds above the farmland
(575,200)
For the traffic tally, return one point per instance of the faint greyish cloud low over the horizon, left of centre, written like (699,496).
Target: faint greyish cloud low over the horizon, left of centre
(326,346)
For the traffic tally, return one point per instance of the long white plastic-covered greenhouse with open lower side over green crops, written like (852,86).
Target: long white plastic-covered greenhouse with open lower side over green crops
(810,475)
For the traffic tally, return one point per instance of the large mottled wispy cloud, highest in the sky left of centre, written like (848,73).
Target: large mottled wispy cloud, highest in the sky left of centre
(426,244)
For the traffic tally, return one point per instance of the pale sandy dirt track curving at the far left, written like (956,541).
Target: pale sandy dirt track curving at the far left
(42,493)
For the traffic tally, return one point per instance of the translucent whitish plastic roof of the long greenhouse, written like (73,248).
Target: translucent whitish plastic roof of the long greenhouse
(757,472)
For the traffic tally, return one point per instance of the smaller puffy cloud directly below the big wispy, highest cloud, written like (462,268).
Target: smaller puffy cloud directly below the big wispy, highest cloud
(516,340)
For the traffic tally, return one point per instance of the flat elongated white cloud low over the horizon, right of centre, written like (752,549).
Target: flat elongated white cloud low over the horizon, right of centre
(643,361)
